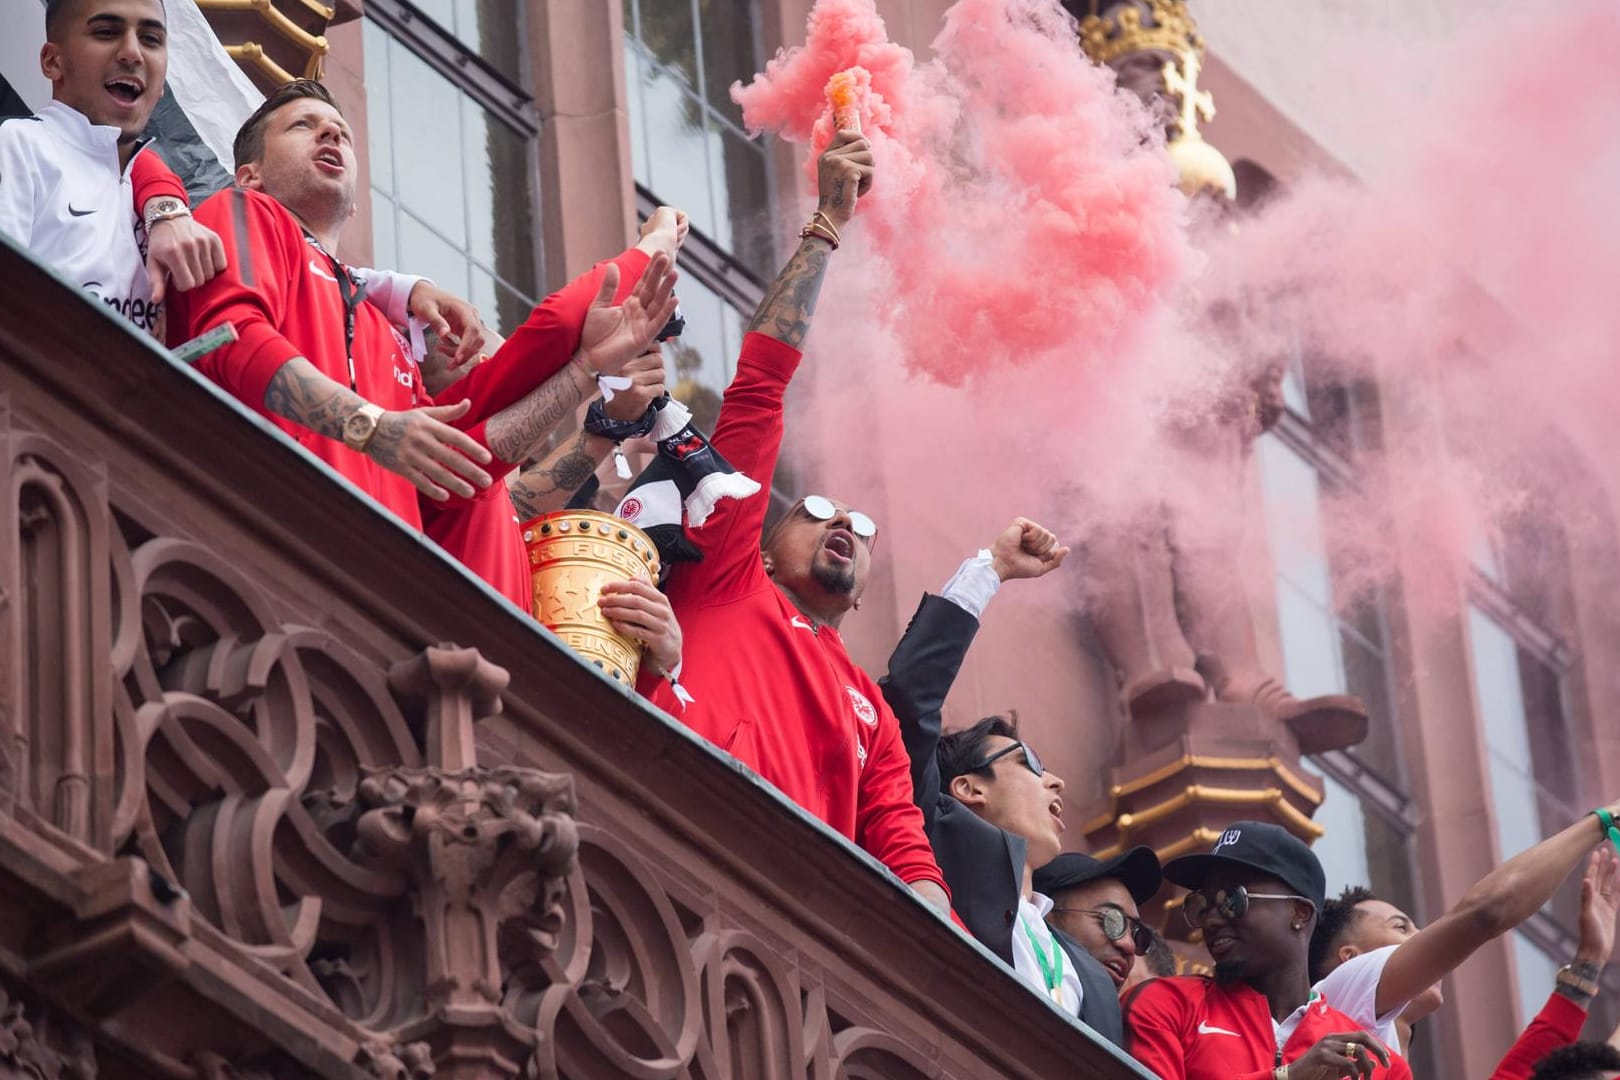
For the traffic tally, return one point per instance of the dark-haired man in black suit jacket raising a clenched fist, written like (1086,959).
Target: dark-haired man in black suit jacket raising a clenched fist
(991,810)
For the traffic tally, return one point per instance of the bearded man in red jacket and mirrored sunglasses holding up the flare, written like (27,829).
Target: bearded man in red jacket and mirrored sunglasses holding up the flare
(764,658)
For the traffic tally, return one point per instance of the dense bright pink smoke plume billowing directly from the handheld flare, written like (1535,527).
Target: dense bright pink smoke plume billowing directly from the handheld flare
(1010,172)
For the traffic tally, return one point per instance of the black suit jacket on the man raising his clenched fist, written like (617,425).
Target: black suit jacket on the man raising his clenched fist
(983,864)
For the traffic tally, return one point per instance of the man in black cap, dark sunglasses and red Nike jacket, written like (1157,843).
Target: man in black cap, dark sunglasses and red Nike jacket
(1255,898)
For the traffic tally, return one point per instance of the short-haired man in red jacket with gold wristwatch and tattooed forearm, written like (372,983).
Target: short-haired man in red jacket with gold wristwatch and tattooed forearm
(330,368)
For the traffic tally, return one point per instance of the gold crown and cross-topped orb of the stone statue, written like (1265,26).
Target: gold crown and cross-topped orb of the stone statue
(1166,27)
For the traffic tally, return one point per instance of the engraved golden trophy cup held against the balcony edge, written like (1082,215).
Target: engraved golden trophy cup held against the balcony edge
(573,555)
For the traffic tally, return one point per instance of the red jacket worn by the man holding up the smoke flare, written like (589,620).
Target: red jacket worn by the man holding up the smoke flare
(785,699)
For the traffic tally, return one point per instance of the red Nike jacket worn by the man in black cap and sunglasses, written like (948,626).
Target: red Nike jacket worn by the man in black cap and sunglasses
(1188,1027)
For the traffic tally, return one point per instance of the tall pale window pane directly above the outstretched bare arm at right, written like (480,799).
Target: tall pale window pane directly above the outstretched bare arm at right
(1501,700)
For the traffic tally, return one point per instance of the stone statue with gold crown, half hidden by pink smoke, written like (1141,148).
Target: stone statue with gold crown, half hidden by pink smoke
(1169,603)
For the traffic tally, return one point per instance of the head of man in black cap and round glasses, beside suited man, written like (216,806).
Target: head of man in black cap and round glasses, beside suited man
(1096,906)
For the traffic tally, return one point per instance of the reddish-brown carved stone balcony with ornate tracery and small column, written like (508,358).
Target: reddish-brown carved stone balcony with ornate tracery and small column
(260,819)
